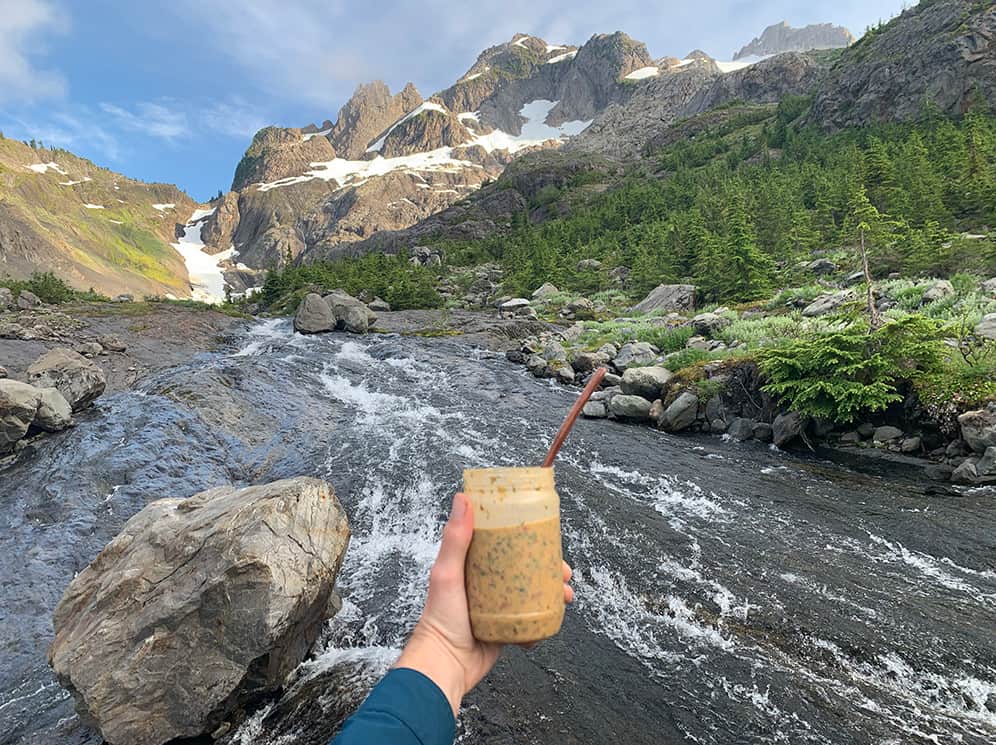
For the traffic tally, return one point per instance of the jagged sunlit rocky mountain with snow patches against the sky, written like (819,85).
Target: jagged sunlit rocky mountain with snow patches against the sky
(390,161)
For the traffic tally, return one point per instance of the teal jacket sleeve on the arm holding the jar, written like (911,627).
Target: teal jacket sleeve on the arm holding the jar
(405,708)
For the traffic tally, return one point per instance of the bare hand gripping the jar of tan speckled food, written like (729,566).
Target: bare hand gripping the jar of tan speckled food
(442,646)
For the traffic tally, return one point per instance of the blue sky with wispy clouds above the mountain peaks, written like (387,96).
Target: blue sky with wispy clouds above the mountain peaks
(174,91)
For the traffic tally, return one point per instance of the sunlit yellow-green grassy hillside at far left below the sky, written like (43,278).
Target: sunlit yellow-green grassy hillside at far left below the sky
(93,227)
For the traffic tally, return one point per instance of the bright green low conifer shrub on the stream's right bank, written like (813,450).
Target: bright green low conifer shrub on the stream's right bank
(841,374)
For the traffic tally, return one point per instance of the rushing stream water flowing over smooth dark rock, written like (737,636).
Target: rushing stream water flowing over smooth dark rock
(726,593)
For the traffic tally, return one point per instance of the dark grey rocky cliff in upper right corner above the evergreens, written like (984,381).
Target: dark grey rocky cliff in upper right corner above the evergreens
(940,53)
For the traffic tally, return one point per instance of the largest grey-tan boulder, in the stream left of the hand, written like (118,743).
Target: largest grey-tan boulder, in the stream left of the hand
(199,607)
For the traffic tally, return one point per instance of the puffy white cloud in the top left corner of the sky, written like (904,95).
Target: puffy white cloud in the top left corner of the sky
(23,23)
